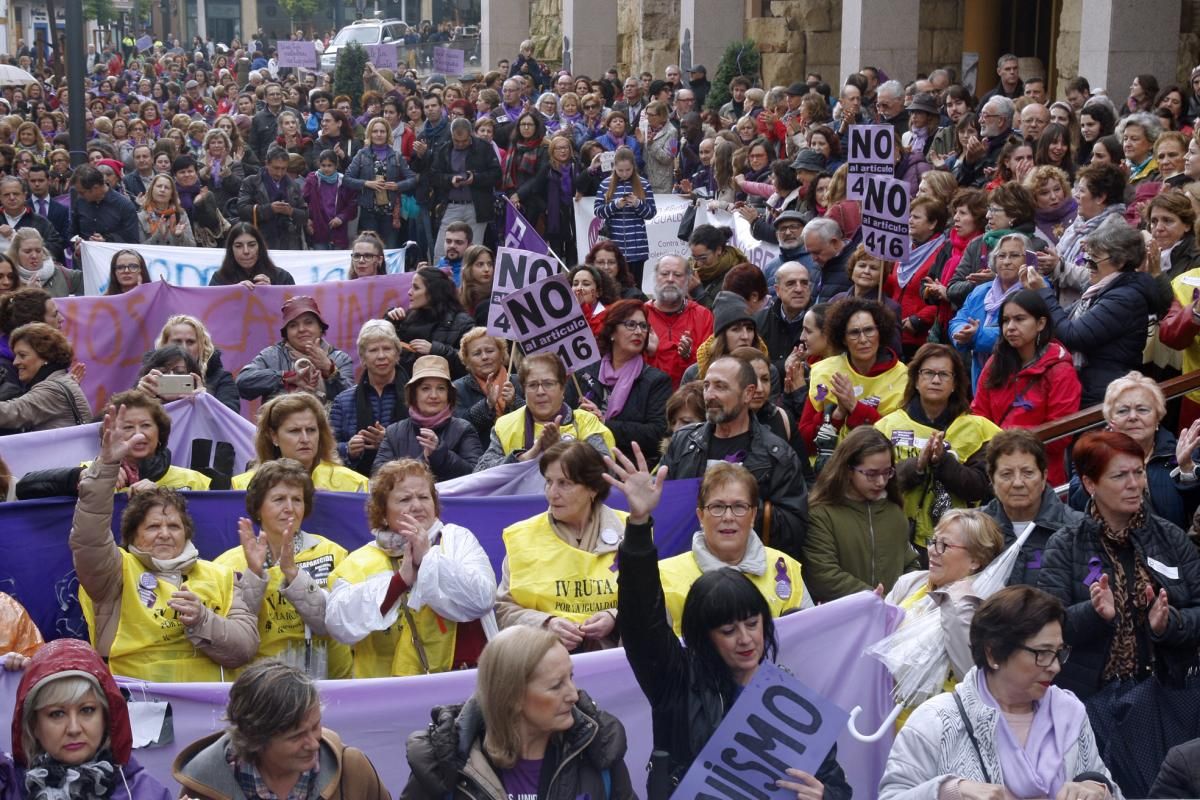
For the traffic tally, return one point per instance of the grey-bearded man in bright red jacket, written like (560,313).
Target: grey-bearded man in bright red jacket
(677,324)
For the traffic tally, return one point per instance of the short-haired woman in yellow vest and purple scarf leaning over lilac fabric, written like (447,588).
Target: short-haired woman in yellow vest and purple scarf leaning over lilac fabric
(529,432)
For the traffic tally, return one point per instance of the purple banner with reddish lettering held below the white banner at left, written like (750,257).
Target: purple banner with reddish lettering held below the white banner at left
(111,334)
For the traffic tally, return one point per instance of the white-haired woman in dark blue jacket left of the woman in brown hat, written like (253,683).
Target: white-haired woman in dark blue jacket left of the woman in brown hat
(362,414)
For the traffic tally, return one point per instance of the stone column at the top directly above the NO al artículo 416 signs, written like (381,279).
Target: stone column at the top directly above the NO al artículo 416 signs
(883,34)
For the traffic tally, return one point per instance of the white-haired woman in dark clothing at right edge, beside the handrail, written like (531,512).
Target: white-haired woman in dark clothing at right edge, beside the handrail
(1136,406)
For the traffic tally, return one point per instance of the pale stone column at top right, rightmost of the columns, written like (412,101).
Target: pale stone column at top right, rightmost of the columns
(1121,39)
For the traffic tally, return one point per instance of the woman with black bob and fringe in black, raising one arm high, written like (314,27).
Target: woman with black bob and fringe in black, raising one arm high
(724,617)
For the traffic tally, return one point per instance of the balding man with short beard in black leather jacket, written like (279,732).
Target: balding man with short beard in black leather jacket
(731,434)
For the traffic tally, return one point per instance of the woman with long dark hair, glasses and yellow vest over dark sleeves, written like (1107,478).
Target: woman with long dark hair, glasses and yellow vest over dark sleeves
(941,453)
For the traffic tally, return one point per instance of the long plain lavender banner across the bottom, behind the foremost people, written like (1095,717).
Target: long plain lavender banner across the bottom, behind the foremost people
(823,647)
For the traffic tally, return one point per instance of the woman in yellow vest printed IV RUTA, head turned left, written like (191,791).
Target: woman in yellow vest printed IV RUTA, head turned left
(560,568)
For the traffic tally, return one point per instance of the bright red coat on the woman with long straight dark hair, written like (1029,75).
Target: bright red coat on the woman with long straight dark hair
(1042,393)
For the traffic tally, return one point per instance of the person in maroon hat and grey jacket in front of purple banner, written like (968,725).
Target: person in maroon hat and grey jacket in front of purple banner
(302,362)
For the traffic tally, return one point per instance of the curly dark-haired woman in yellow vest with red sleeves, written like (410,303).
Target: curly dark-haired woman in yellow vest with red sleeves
(861,384)
